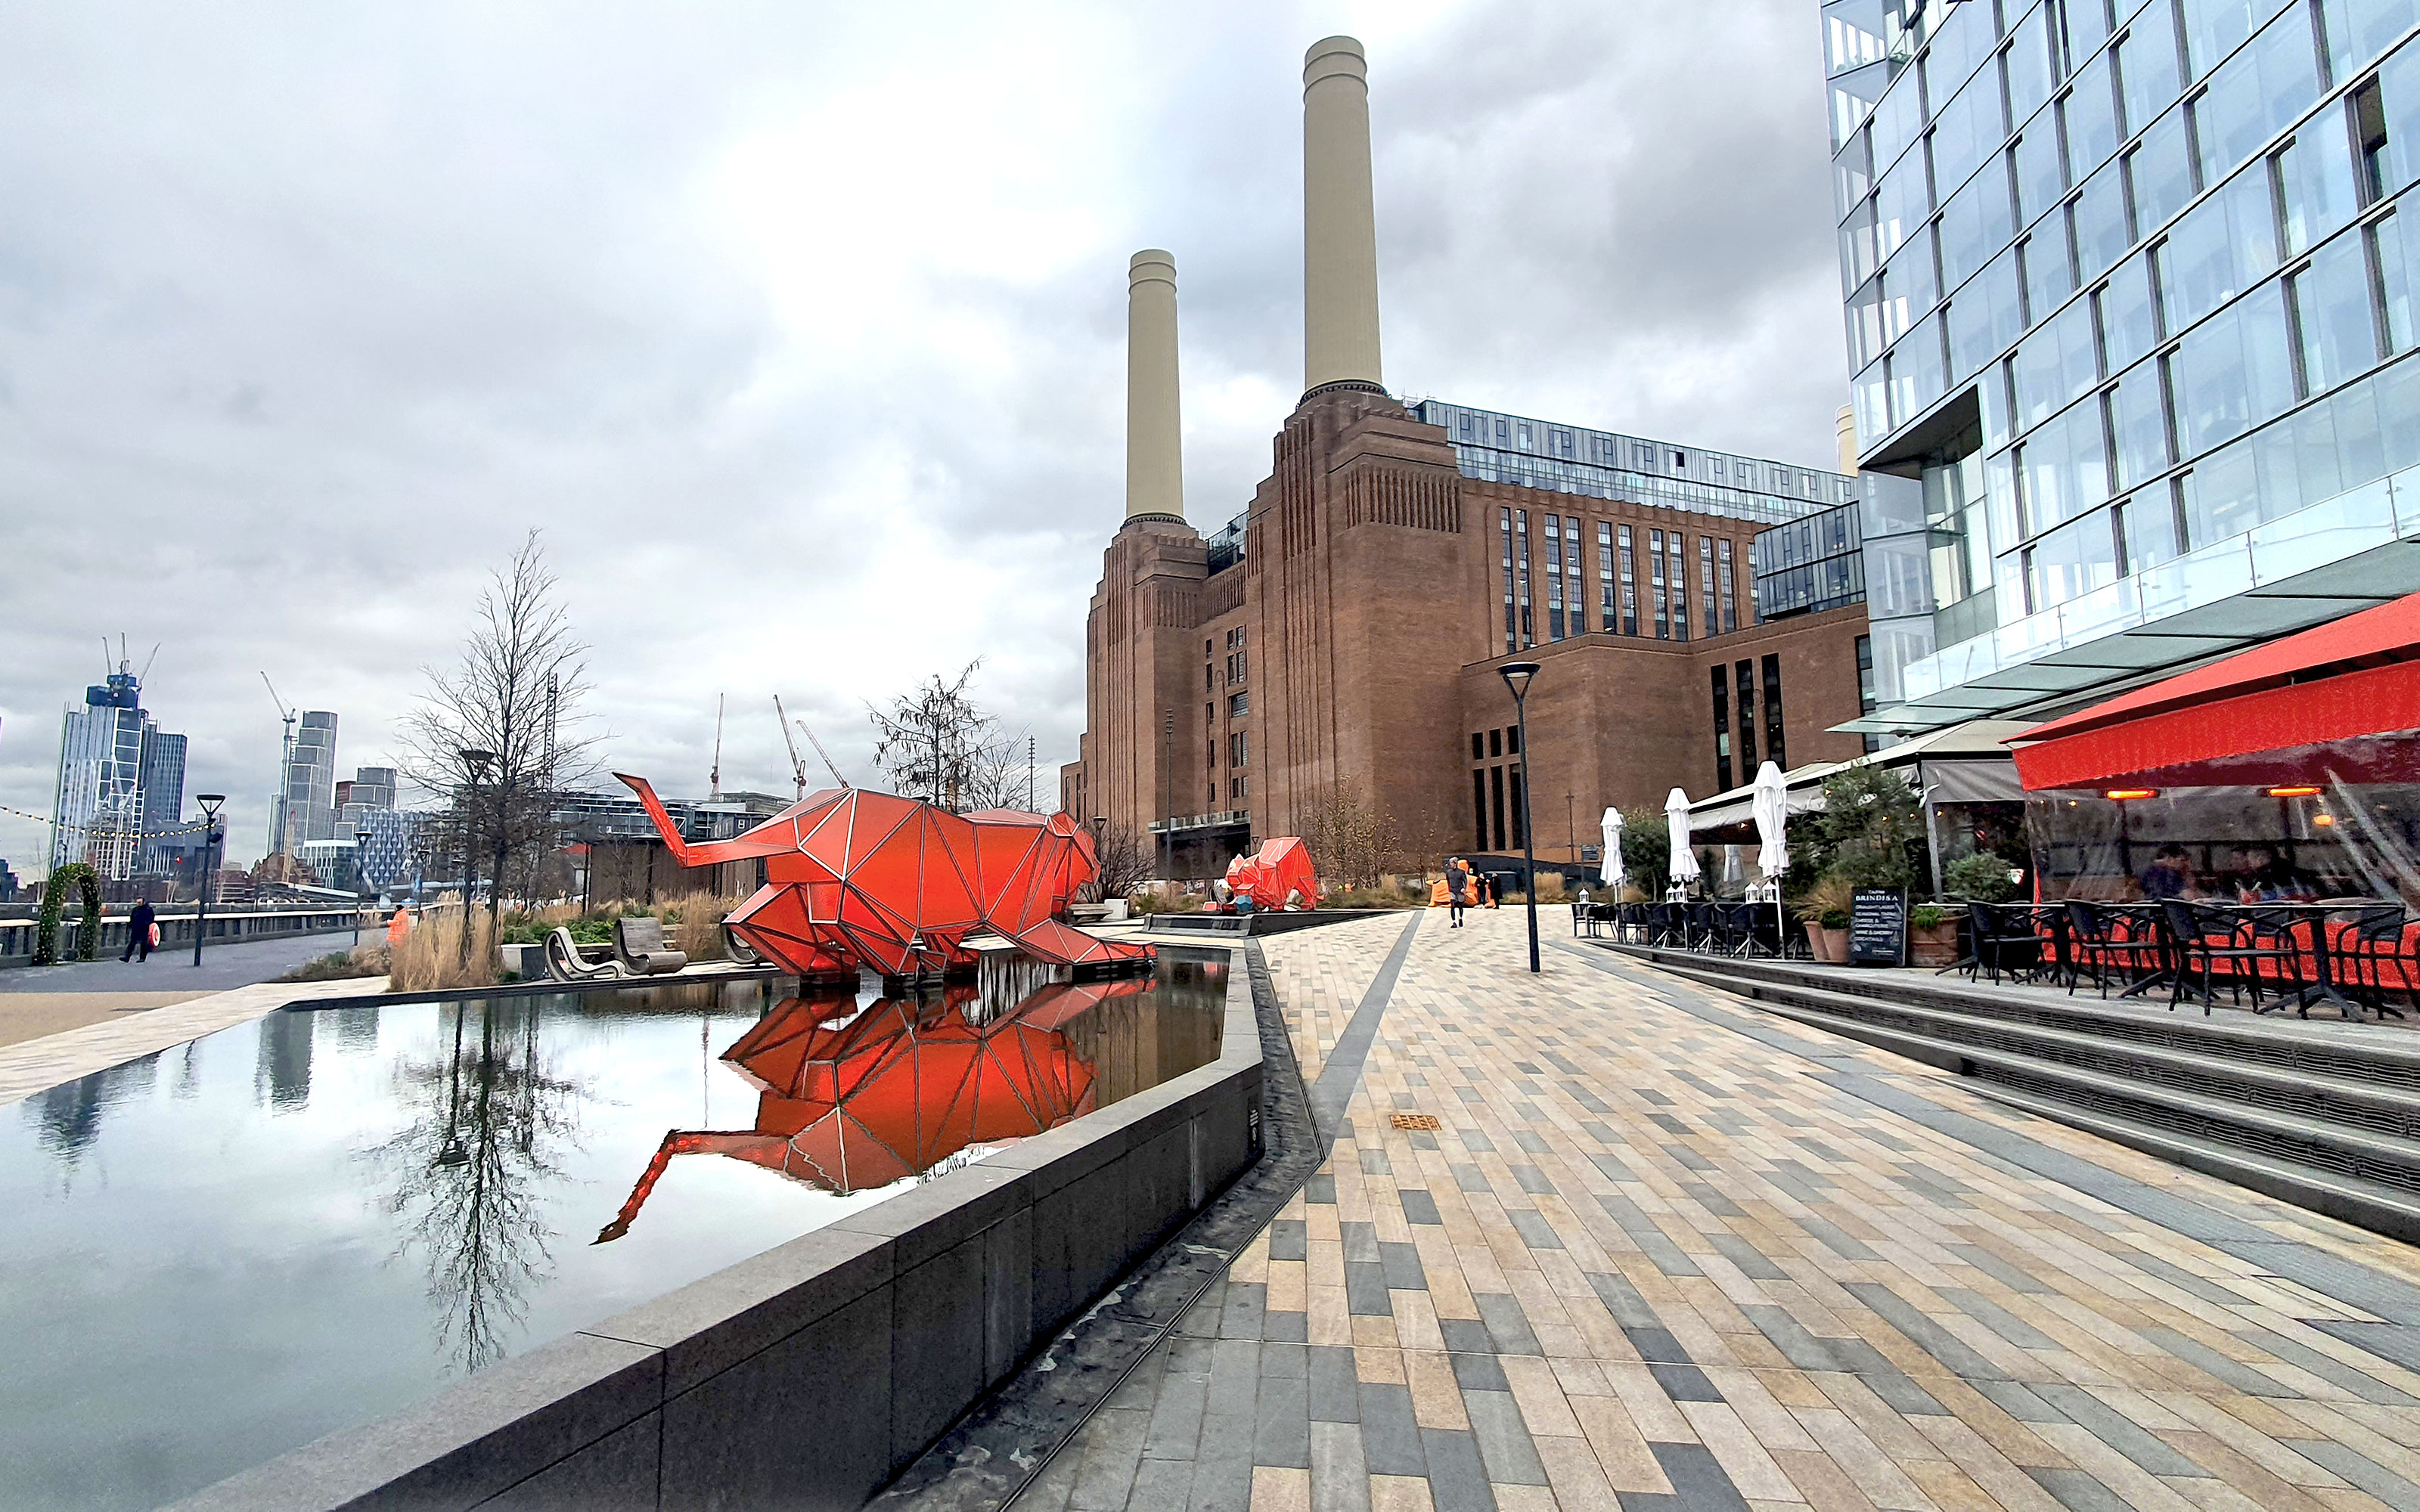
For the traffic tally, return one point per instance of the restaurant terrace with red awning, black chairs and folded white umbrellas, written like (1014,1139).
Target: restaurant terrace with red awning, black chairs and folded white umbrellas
(2245,833)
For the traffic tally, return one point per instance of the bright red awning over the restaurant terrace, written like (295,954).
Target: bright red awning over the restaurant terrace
(2281,712)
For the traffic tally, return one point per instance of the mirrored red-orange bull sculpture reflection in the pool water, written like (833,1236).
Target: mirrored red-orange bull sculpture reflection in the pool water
(860,1100)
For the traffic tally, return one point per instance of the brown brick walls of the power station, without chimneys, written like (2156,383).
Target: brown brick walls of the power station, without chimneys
(1369,621)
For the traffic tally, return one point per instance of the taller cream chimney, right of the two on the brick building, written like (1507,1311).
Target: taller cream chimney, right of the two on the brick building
(1339,221)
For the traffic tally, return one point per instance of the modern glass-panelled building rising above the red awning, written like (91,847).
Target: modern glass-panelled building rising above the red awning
(2128,313)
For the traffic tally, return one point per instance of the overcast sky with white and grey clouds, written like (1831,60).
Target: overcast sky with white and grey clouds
(797,328)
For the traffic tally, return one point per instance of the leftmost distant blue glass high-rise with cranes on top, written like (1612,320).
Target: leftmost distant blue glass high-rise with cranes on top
(120,783)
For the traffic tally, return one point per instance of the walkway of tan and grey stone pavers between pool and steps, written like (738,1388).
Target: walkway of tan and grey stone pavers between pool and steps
(1666,1252)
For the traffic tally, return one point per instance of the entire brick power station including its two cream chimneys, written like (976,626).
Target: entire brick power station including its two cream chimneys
(1693,613)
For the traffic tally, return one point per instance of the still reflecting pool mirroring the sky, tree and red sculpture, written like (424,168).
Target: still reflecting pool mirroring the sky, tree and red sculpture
(234,1247)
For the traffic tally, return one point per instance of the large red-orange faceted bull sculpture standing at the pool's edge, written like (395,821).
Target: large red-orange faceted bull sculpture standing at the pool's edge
(897,884)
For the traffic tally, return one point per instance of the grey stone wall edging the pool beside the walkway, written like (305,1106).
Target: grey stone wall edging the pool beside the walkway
(814,1373)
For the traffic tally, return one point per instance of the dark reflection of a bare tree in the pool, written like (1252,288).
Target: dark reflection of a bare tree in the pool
(471,1170)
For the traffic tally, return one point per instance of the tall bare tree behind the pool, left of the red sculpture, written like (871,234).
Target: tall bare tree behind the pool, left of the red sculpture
(500,732)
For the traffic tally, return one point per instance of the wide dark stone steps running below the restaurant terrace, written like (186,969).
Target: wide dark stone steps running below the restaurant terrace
(2320,1114)
